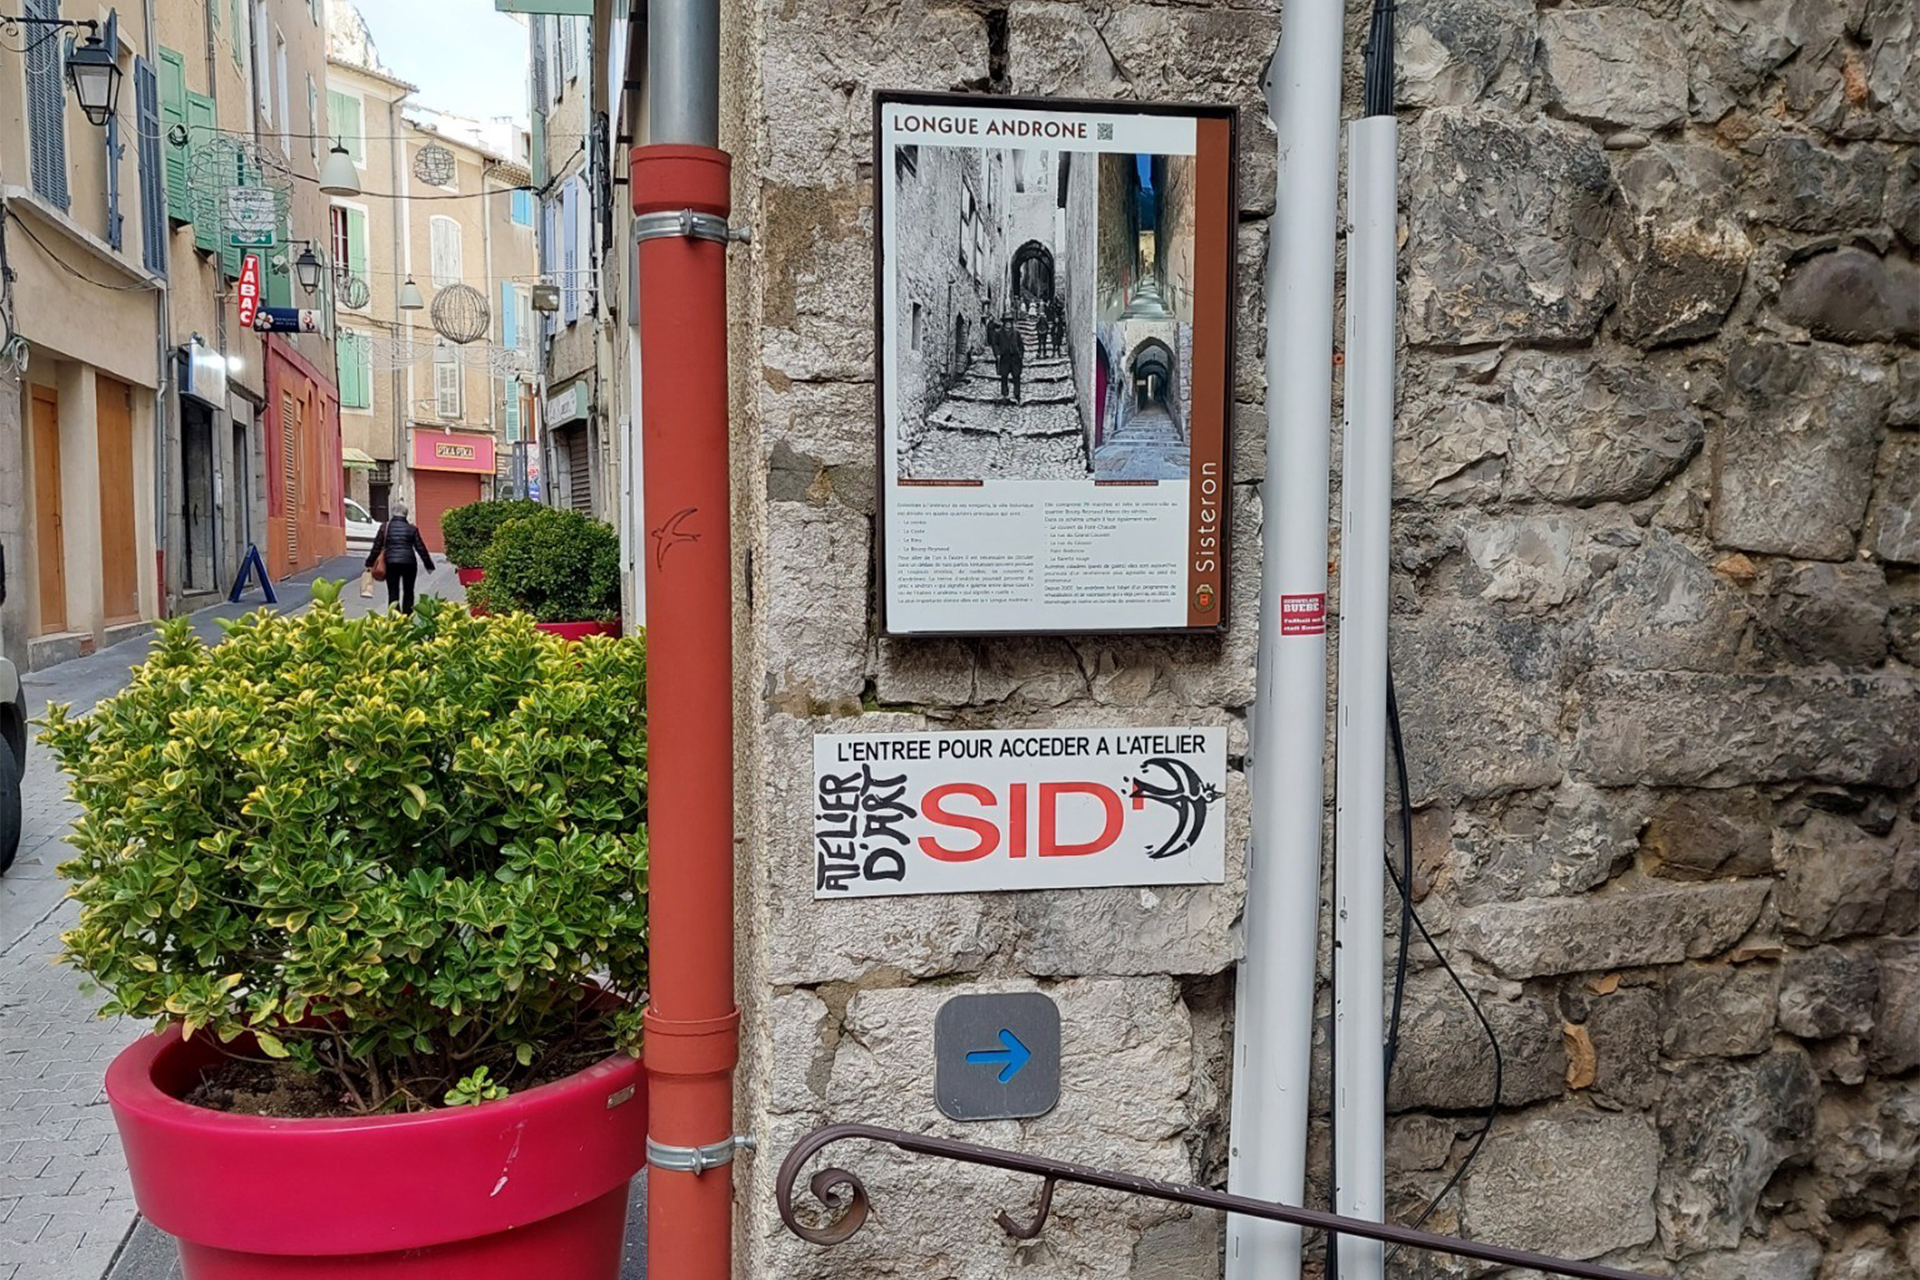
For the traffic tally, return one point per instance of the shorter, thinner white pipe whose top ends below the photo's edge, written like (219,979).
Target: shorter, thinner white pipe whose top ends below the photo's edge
(1360,753)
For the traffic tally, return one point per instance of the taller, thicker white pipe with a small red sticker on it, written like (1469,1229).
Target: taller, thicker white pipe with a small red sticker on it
(1274,1007)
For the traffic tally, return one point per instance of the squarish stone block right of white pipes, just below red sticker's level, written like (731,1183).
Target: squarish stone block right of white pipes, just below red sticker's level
(1493,732)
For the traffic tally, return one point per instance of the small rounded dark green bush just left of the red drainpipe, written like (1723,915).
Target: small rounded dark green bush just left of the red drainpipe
(556,565)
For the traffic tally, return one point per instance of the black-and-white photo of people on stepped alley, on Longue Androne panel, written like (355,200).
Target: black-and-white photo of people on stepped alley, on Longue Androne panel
(994,323)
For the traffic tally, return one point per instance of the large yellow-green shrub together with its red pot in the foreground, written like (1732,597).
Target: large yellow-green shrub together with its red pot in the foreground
(381,882)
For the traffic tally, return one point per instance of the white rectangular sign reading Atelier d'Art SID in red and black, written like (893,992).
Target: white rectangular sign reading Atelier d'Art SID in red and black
(1019,809)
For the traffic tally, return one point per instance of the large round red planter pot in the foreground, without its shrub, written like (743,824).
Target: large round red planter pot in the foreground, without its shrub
(535,1185)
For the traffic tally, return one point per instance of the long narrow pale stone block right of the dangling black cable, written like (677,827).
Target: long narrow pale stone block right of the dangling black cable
(1644,926)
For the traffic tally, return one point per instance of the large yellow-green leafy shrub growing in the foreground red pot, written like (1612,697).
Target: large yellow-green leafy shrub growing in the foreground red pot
(395,849)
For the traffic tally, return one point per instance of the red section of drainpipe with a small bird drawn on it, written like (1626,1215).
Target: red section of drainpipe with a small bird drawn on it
(692,1024)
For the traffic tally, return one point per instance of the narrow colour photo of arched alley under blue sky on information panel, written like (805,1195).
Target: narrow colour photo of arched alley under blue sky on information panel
(1143,402)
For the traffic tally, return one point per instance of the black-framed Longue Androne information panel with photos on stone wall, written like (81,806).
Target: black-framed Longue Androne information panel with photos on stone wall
(1055,289)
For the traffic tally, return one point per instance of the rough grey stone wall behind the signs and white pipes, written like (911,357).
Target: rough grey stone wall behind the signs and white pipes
(1658,609)
